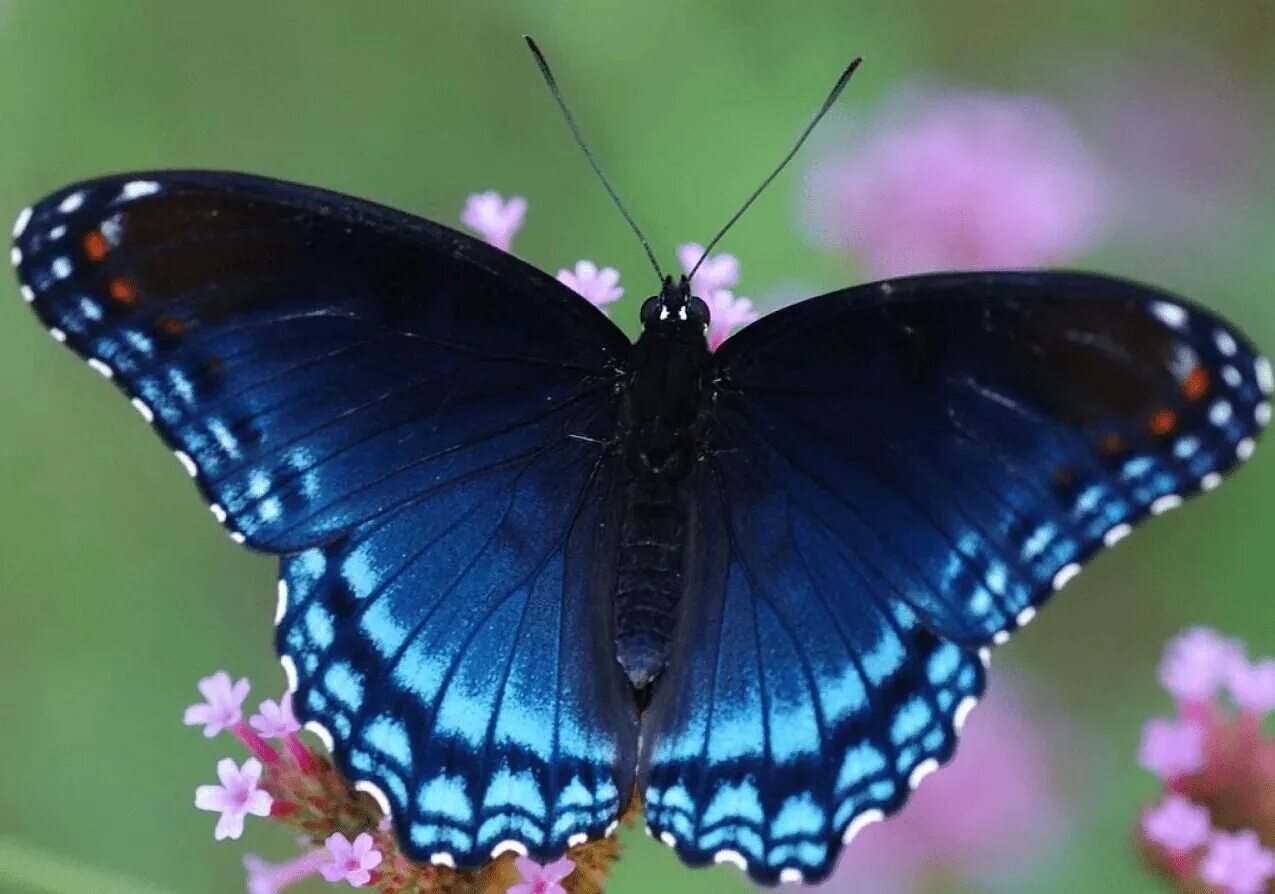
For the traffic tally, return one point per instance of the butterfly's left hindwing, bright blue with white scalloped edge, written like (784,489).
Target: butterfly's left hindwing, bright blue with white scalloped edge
(460,654)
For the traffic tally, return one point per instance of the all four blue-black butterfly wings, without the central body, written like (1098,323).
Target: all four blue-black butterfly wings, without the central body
(893,480)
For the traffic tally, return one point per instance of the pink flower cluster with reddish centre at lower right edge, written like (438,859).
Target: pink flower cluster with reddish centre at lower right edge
(1214,828)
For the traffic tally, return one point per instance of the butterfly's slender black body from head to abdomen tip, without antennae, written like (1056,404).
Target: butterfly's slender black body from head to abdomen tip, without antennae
(662,415)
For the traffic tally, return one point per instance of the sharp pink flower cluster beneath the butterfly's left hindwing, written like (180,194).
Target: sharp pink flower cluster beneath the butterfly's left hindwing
(302,790)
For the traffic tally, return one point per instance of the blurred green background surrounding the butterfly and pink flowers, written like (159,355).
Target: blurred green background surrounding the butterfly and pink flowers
(119,591)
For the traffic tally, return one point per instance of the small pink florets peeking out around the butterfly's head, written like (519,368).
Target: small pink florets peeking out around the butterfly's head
(498,220)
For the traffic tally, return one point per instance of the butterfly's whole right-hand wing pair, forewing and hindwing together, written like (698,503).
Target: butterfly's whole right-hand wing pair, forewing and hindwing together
(898,476)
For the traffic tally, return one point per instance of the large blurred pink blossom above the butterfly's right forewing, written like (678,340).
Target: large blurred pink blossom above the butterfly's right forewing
(961,180)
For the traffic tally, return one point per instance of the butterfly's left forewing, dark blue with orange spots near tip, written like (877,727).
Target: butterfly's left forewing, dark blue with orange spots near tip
(309,356)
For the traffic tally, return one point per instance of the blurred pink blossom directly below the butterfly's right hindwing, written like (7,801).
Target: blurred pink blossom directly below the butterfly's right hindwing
(991,814)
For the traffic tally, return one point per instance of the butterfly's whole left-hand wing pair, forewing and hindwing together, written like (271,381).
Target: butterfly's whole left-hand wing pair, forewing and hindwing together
(414,419)
